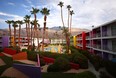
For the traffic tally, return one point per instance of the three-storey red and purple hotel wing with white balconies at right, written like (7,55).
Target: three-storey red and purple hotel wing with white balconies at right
(101,40)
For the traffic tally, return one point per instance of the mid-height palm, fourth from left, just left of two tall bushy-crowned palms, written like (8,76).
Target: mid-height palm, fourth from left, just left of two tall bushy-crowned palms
(27,21)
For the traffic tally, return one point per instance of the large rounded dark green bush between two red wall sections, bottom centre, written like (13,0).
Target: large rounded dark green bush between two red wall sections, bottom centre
(60,65)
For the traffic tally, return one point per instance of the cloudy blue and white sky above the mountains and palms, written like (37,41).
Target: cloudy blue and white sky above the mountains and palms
(86,12)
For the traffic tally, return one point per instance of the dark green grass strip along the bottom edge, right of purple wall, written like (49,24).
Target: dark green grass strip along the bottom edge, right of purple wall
(86,74)
